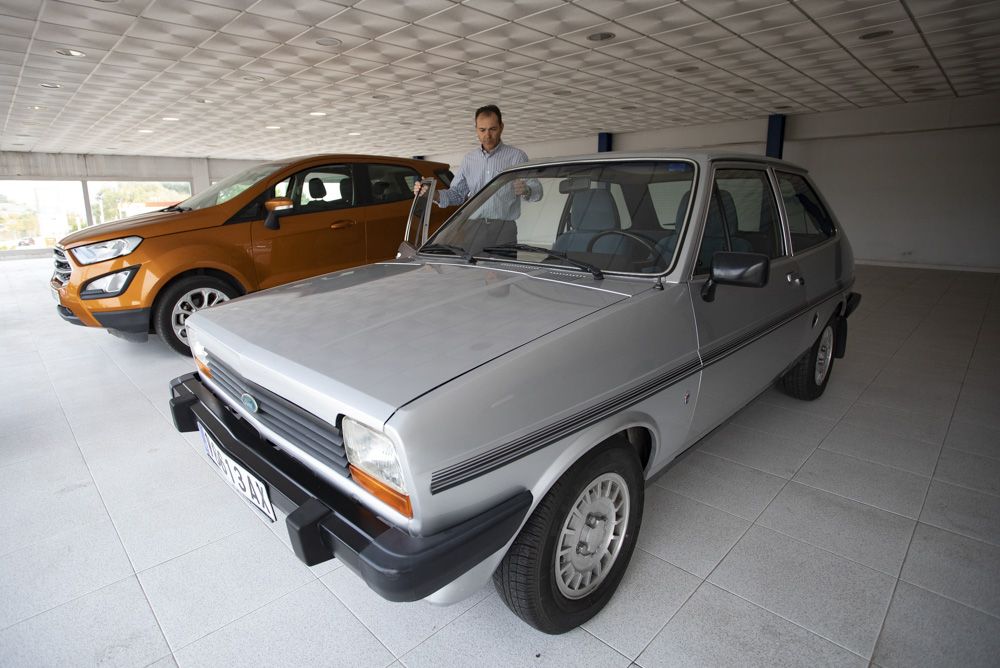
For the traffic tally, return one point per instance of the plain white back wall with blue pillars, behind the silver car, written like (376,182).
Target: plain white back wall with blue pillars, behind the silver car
(914,184)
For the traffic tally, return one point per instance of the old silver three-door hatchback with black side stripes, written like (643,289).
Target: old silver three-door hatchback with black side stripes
(490,404)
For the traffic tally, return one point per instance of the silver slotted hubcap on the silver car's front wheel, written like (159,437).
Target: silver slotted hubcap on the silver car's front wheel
(592,536)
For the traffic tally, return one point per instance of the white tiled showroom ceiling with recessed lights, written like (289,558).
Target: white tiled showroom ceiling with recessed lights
(407,76)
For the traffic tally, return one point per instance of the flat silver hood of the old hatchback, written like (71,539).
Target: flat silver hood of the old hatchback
(369,340)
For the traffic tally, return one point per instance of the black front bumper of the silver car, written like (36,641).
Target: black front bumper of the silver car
(324,523)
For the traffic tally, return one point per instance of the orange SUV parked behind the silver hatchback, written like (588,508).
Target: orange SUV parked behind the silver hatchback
(267,225)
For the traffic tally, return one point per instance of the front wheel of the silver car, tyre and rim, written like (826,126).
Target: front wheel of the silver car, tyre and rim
(571,554)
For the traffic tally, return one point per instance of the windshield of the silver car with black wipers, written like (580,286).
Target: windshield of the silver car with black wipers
(604,216)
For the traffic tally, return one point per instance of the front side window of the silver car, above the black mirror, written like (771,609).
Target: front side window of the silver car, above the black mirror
(742,217)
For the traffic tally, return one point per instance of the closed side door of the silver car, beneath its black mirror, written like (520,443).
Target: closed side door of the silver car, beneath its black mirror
(746,336)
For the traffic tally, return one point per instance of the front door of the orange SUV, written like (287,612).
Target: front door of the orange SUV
(323,232)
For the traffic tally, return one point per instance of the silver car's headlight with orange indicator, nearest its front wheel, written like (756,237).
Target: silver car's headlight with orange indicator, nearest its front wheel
(374,465)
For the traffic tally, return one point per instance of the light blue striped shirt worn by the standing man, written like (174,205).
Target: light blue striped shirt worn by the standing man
(477,169)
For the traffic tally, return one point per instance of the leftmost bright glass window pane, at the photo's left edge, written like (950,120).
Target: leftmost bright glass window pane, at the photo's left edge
(37,214)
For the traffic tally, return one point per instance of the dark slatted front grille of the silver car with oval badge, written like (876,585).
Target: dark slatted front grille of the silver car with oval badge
(315,437)
